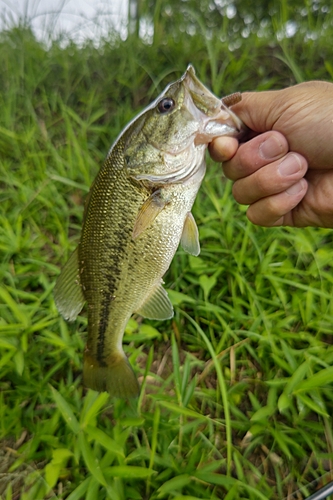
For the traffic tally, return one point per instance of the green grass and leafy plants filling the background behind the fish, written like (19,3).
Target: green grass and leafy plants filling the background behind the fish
(237,396)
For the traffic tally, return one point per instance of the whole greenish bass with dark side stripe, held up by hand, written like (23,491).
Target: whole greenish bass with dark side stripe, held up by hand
(137,212)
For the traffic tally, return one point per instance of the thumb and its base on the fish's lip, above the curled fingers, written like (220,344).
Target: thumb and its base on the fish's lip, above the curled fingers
(302,113)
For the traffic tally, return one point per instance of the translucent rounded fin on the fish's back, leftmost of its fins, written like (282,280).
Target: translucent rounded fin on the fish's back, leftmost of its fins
(68,294)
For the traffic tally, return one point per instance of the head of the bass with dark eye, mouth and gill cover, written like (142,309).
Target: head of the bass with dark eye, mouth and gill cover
(166,142)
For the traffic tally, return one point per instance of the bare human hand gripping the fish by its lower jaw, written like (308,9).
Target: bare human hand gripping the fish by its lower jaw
(284,172)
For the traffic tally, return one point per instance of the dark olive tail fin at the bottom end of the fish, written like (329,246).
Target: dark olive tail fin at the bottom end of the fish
(116,376)
